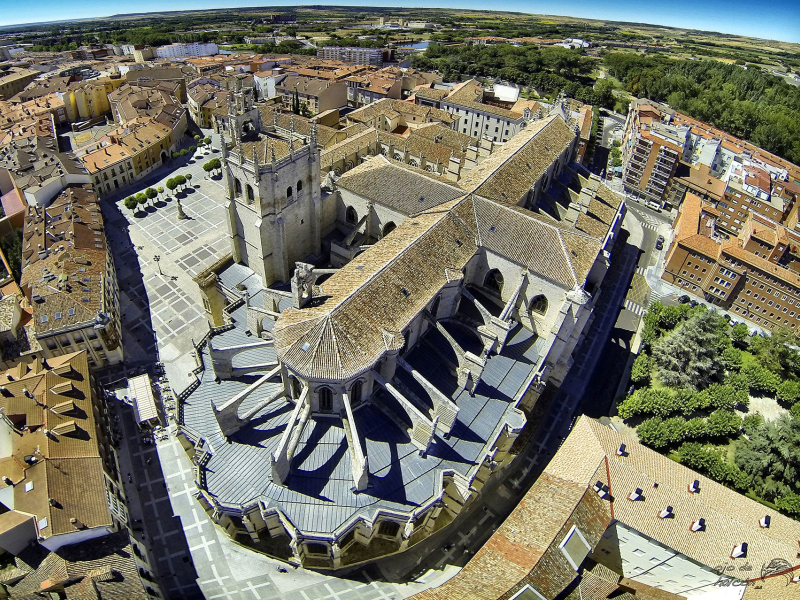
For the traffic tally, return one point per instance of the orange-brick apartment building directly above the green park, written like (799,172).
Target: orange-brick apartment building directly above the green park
(755,274)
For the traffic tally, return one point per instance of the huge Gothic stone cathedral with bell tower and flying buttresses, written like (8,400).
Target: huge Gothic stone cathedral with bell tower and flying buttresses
(378,339)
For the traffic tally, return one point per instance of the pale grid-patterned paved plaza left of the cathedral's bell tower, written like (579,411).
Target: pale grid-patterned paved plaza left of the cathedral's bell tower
(161,305)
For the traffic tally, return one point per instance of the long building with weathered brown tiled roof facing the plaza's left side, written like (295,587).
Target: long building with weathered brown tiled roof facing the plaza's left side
(69,280)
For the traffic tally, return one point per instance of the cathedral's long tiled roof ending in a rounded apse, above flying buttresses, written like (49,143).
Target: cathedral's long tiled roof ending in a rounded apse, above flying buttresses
(372,299)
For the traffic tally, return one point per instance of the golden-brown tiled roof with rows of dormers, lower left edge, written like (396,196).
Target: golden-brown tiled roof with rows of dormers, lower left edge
(68,467)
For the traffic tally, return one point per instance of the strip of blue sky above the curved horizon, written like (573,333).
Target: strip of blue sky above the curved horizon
(773,19)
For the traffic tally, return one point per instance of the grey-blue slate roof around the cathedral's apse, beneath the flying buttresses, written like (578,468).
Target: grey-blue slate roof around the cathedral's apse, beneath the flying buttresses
(318,496)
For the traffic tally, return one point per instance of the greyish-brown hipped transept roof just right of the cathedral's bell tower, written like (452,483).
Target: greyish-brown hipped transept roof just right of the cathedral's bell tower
(398,186)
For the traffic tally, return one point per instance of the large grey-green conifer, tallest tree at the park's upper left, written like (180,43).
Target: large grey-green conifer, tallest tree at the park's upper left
(689,357)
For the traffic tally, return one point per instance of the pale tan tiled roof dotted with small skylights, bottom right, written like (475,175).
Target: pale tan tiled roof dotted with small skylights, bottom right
(731,518)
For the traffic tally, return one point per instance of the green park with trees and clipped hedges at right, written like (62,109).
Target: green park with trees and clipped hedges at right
(721,401)
